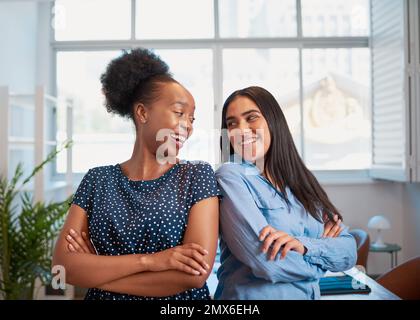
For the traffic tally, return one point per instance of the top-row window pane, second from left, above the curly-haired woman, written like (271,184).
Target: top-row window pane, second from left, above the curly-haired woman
(181,19)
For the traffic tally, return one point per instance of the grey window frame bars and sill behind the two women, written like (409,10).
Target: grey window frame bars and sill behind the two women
(217,44)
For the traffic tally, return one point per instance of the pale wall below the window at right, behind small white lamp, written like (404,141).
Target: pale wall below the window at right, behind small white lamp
(400,203)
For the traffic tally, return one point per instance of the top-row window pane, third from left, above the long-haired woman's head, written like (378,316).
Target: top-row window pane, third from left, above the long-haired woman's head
(257,18)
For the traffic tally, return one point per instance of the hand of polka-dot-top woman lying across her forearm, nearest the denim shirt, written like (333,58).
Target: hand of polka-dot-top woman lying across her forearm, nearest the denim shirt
(188,258)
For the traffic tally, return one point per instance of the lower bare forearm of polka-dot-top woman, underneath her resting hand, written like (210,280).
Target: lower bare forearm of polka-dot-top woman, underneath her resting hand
(155,284)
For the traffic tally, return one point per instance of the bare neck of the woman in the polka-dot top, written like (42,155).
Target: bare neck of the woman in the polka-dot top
(143,164)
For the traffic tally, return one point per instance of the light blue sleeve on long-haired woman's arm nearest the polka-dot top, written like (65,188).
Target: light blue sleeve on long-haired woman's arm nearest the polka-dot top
(241,223)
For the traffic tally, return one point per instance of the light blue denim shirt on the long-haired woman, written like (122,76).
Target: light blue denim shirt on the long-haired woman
(250,203)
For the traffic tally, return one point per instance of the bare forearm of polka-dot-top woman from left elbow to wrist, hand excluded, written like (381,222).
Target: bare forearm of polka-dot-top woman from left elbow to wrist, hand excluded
(89,270)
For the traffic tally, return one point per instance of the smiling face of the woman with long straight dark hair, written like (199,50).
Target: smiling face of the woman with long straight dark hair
(248,130)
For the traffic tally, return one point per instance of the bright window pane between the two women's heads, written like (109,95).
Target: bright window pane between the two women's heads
(196,74)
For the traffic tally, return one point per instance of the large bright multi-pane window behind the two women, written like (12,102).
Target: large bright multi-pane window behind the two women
(313,56)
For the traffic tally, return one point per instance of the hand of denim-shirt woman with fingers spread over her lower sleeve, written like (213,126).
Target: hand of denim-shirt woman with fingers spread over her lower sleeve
(278,239)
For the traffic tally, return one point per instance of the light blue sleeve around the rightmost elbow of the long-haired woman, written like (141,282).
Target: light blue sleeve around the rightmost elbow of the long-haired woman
(333,254)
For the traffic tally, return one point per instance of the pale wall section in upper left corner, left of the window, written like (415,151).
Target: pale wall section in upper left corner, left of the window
(25,53)
